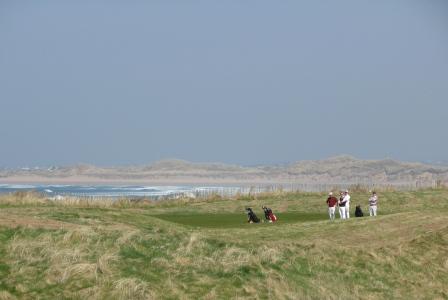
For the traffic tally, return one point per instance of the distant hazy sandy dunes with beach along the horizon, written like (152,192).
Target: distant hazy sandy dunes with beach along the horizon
(334,170)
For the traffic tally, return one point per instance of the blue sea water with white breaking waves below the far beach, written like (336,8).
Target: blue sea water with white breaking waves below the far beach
(121,191)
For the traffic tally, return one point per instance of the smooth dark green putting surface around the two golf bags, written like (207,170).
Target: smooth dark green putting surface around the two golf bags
(233,220)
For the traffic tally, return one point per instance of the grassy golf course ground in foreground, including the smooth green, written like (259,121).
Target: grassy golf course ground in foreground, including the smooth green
(205,249)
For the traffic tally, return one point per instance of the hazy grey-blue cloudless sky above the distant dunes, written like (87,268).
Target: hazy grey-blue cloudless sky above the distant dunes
(242,82)
